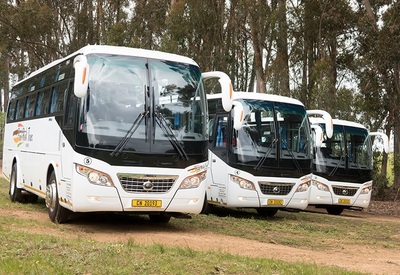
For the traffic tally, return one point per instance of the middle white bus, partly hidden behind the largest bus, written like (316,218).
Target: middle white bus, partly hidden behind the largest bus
(259,153)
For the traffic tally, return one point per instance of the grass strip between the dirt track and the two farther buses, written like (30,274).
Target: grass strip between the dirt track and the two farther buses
(302,230)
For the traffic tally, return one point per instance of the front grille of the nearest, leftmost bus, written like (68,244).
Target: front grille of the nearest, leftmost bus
(138,183)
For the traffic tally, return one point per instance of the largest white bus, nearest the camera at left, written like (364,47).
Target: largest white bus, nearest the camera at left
(111,129)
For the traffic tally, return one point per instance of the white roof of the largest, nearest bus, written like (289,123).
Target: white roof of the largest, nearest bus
(117,50)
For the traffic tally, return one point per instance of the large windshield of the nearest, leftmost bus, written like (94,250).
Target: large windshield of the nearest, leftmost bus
(149,105)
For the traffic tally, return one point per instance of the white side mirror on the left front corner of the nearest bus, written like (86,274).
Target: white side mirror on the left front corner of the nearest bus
(81,81)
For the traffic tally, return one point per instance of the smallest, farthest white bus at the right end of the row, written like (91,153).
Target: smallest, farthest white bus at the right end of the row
(342,167)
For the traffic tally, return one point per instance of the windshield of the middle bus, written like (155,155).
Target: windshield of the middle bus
(272,131)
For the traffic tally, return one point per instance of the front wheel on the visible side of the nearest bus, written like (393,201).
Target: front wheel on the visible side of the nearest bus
(57,213)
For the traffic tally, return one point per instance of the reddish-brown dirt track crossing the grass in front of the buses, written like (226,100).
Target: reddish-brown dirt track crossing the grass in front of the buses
(355,258)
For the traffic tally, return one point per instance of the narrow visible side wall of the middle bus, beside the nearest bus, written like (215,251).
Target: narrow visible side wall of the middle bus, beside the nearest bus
(218,159)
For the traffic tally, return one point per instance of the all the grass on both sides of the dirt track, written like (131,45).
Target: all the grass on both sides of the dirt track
(60,249)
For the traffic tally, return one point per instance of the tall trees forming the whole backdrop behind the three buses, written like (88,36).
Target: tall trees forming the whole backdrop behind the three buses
(341,56)
